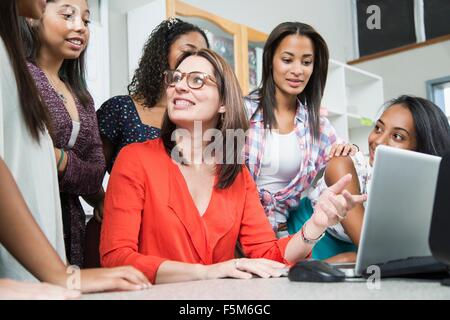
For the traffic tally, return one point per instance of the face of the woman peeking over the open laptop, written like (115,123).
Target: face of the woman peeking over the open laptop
(395,128)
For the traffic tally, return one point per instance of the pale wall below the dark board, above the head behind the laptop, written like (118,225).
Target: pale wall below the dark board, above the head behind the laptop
(407,72)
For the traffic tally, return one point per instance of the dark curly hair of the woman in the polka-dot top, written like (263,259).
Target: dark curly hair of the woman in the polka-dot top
(148,80)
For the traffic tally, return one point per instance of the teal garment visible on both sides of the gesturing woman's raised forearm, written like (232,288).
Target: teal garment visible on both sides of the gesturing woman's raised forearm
(328,246)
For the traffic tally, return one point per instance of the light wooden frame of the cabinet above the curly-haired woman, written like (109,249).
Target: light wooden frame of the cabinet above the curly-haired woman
(241,35)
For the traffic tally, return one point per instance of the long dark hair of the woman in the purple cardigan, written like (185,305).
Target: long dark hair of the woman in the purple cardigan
(71,72)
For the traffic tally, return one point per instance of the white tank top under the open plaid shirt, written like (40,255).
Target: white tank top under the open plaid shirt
(281,161)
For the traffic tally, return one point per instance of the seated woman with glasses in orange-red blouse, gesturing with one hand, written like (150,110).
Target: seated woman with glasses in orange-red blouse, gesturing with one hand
(176,206)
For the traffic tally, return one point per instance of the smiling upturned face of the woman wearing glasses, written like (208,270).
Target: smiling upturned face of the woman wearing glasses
(186,105)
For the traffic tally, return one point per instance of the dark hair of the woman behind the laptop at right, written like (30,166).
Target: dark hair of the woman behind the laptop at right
(430,122)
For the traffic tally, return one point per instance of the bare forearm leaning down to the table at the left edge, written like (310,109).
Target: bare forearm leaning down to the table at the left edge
(22,236)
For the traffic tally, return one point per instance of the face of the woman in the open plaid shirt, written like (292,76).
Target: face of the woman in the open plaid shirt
(293,64)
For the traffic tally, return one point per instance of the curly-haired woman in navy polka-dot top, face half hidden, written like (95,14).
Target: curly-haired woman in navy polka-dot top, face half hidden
(137,116)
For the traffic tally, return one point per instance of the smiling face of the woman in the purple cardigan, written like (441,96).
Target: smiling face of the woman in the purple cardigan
(64,31)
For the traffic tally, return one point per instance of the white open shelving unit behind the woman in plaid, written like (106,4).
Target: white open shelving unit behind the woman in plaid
(353,99)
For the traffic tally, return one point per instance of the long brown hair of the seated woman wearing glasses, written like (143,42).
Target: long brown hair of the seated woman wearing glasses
(230,95)
